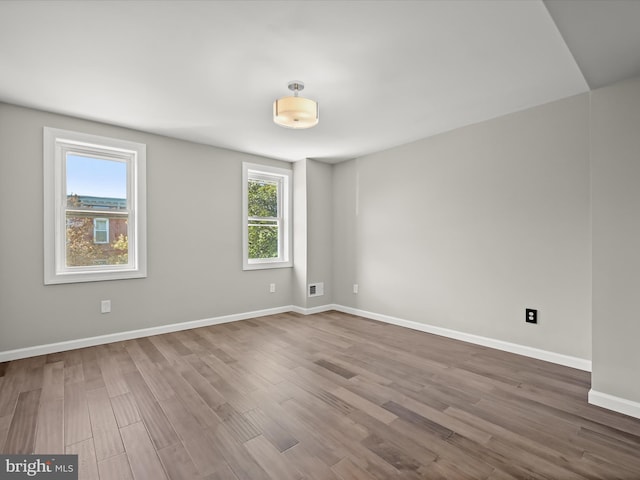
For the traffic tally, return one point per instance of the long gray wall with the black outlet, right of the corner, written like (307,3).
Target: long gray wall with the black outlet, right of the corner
(466,229)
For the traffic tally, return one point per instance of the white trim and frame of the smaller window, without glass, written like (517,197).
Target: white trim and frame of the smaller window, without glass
(285,259)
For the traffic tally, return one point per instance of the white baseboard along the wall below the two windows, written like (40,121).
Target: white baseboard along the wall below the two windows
(144,332)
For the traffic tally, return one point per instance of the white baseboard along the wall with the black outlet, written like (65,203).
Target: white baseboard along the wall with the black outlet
(566,360)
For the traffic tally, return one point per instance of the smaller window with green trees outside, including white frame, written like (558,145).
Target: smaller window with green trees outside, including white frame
(267,213)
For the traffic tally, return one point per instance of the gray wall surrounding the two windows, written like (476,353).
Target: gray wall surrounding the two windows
(194,247)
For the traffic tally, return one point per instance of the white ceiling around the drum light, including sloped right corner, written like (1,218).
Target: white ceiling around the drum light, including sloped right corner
(384,72)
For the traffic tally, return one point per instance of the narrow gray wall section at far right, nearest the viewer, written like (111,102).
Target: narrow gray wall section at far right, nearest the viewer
(615,160)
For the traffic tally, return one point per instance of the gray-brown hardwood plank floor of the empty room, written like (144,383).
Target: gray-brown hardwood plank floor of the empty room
(326,397)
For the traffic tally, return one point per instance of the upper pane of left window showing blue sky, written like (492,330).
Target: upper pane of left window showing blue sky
(96,183)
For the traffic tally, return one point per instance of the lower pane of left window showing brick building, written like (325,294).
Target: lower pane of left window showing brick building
(87,243)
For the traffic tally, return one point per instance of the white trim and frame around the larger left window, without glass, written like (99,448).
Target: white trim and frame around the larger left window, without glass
(56,142)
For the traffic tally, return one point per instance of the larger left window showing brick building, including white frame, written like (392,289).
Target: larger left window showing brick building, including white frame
(94,208)
